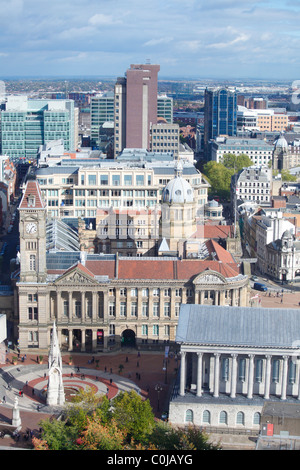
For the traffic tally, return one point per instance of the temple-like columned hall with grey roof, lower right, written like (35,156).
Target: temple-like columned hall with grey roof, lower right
(232,360)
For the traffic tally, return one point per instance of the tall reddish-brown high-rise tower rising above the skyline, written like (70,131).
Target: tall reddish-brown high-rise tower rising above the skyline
(135,107)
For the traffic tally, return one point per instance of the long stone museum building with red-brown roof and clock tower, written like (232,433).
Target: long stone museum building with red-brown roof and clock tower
(100,302)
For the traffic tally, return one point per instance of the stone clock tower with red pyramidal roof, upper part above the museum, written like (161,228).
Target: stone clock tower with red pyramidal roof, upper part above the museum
(32,227)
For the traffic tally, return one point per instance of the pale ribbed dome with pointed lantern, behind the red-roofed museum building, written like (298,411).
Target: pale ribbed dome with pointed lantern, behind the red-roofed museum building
(178,190)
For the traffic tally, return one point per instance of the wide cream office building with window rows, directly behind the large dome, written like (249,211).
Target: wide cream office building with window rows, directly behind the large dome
(76,188)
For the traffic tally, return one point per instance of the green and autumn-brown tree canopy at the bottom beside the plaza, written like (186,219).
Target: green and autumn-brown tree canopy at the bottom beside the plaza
(125,423)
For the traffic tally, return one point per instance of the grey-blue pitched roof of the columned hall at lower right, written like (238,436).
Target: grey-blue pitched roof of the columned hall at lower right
(238,326)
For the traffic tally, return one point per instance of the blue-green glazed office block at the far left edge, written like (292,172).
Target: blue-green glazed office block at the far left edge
(27,124)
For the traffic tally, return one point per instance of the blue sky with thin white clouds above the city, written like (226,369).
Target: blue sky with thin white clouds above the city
(187,38)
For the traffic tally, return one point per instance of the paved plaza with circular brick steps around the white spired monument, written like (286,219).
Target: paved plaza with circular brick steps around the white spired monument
(27,381)
